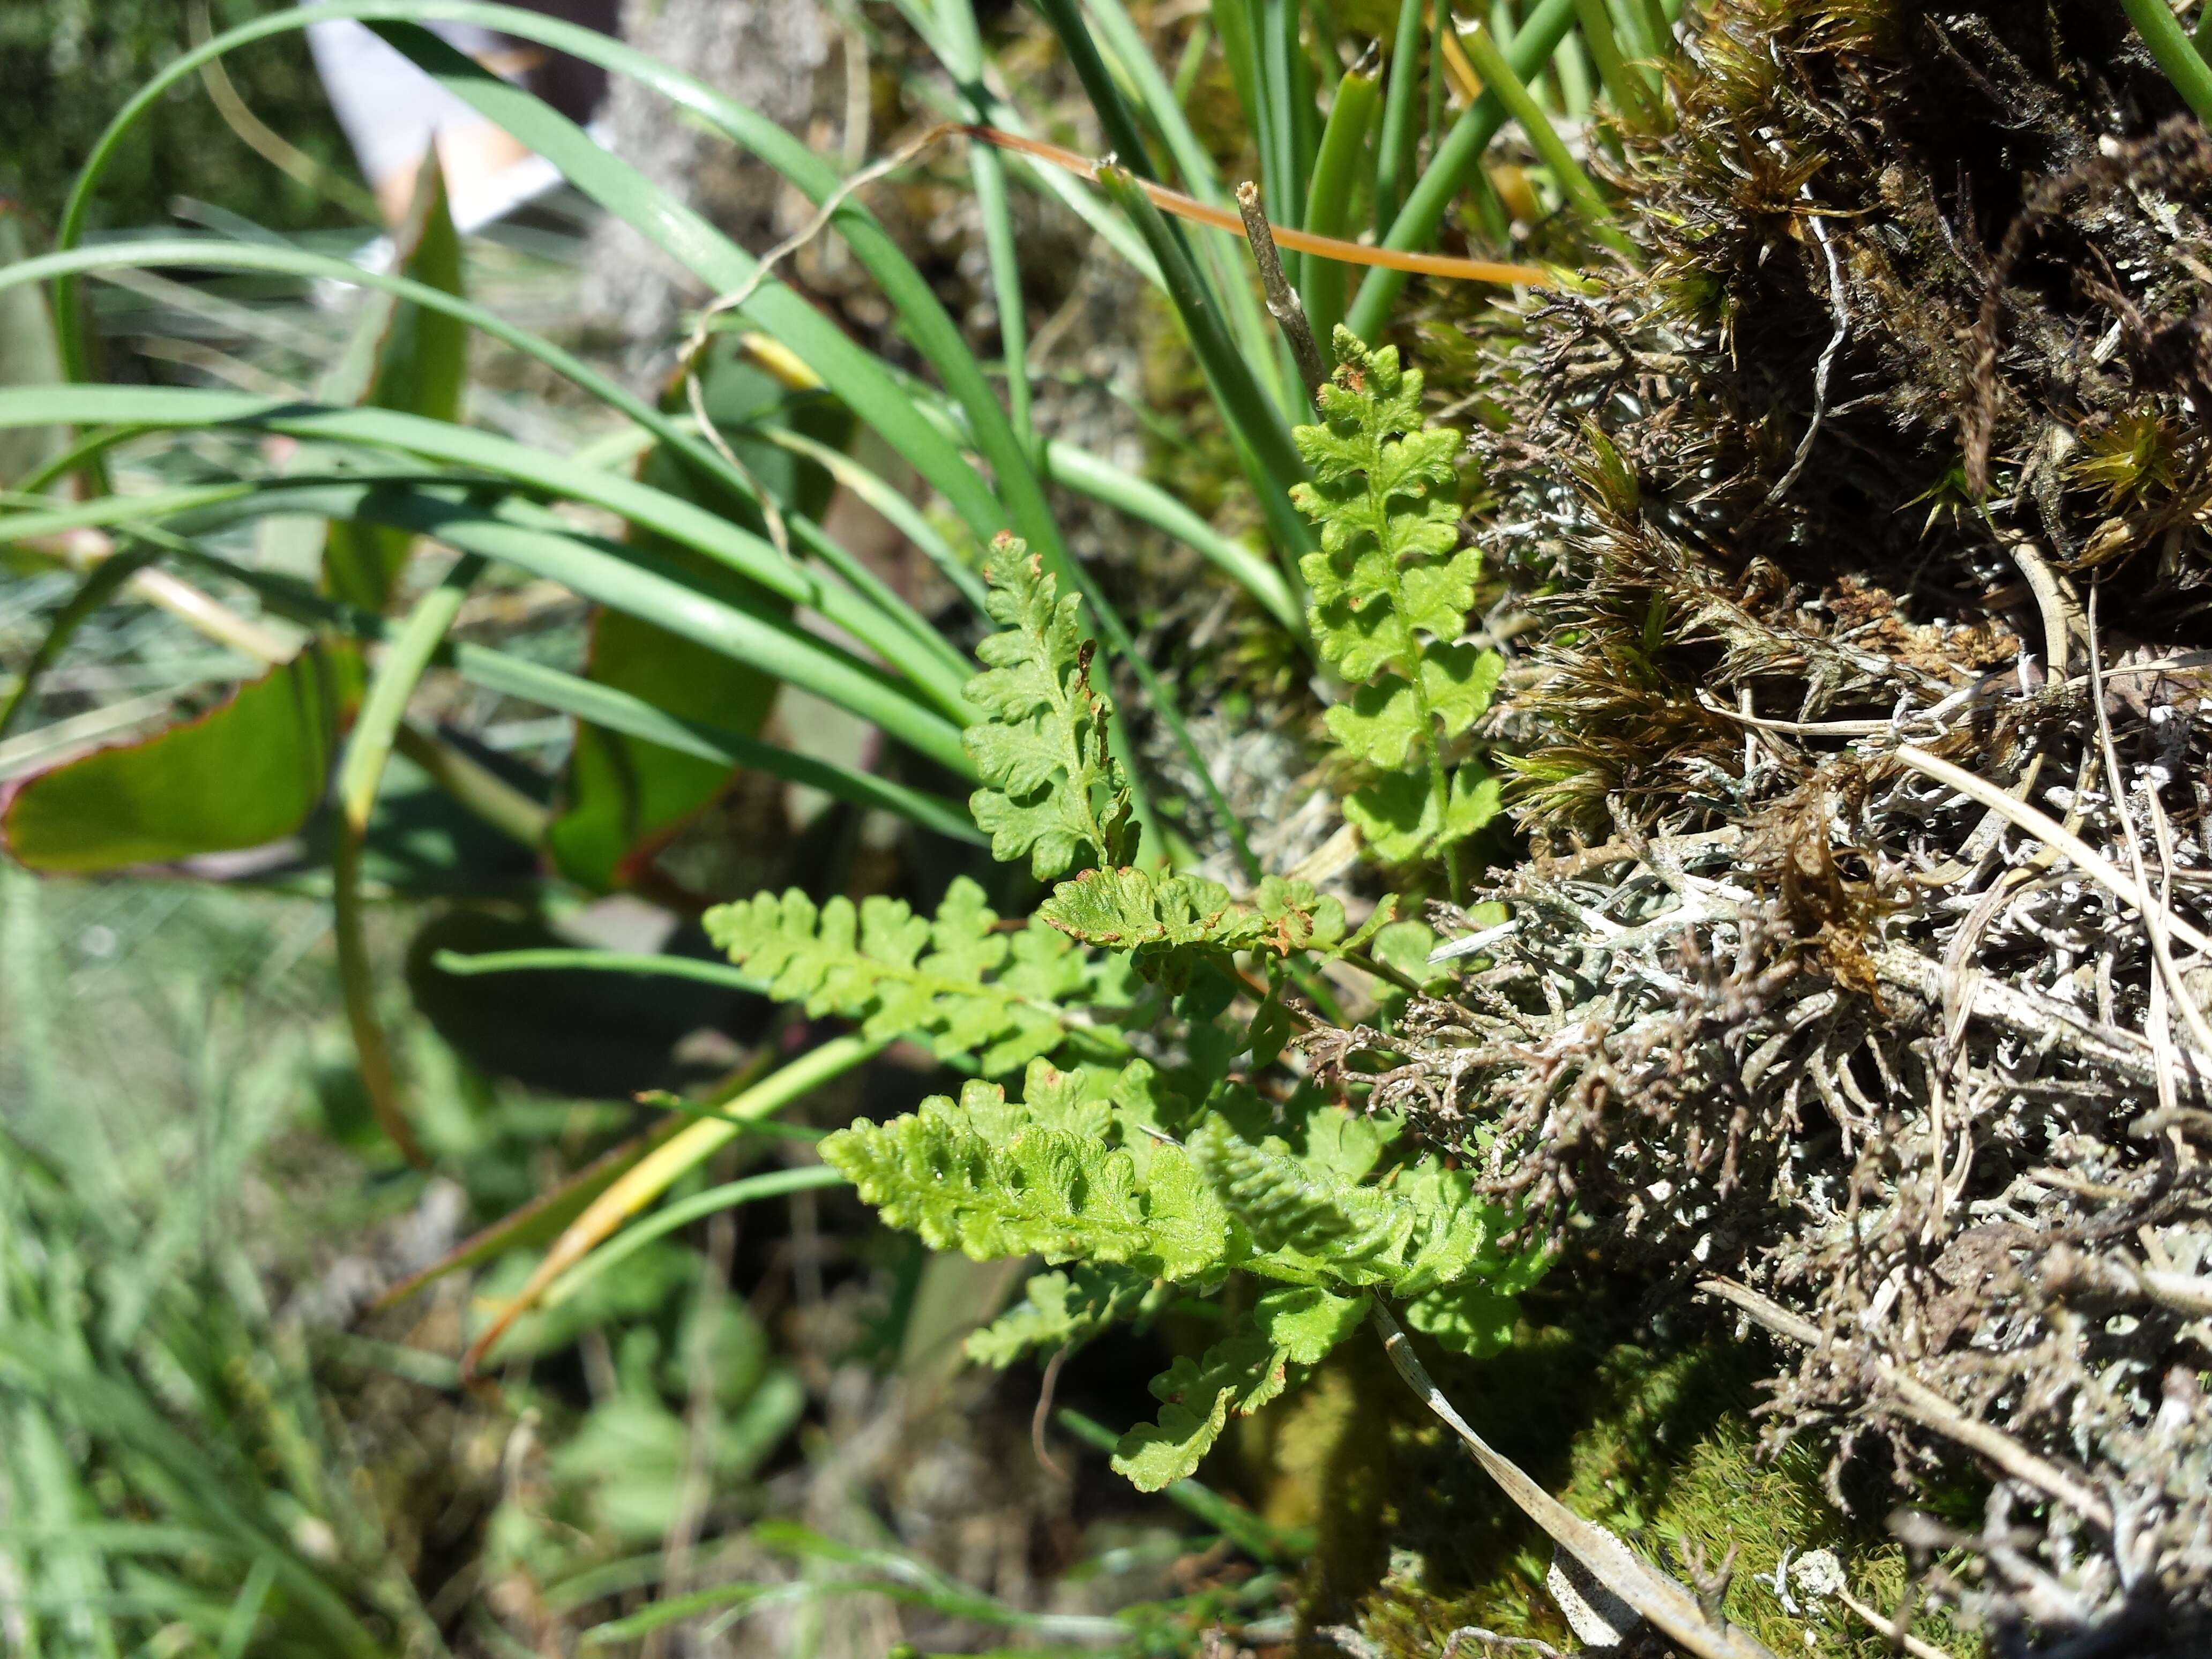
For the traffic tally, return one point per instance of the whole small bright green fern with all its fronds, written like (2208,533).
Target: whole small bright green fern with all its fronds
(1131,1120)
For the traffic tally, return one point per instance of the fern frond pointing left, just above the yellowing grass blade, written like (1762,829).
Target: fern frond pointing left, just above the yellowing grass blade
(952,981)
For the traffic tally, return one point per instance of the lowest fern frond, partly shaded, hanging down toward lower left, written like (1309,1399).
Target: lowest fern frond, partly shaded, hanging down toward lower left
(1288,1333)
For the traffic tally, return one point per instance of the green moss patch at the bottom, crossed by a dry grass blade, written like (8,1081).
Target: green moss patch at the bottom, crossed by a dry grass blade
(1660,1446)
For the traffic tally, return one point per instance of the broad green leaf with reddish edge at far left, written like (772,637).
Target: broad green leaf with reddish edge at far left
(242,775)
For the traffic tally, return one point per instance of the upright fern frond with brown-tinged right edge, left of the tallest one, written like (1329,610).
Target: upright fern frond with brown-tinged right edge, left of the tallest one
(1052,789)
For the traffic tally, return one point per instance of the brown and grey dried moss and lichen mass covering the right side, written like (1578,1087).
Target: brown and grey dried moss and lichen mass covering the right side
(1890,461)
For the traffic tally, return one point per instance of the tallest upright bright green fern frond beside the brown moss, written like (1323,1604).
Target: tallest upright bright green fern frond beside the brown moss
(1390,596)
